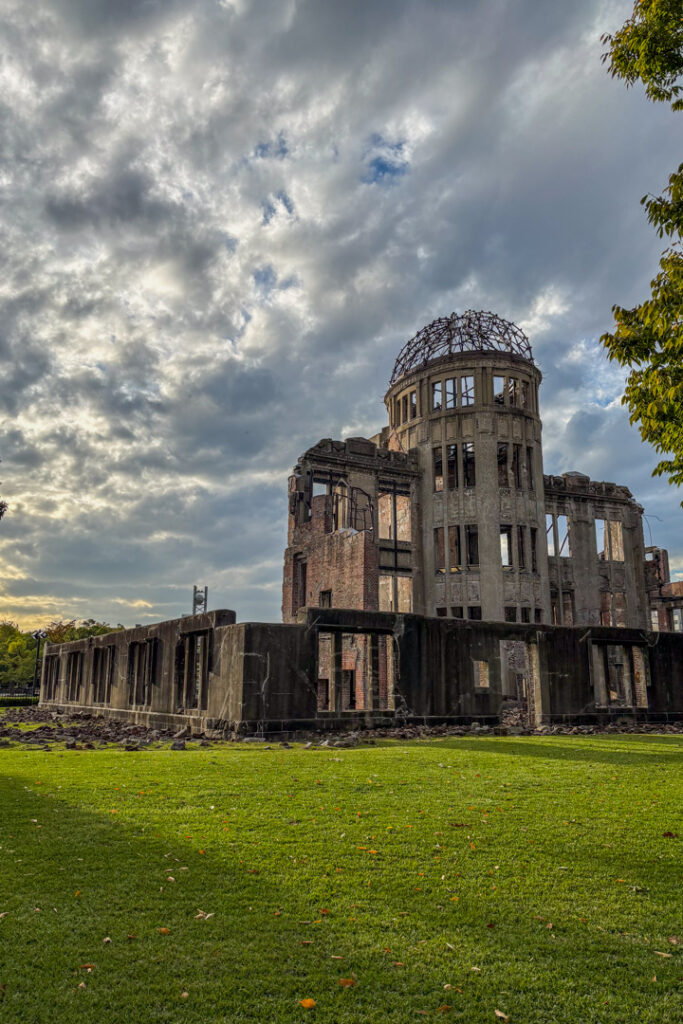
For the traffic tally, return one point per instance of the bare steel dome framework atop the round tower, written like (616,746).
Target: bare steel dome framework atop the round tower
(474,331)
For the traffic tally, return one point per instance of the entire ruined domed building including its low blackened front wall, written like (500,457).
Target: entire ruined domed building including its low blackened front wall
(433,575)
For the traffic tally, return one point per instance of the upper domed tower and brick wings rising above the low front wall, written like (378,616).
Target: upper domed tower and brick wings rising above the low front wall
(448,513)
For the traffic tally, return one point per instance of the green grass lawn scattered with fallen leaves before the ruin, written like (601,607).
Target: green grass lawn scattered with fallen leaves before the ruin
(452,879)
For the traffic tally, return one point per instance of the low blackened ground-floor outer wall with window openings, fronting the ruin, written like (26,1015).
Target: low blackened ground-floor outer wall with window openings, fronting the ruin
(348,669)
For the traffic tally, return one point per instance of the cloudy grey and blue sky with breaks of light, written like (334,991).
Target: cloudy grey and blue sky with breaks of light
(223,219)
